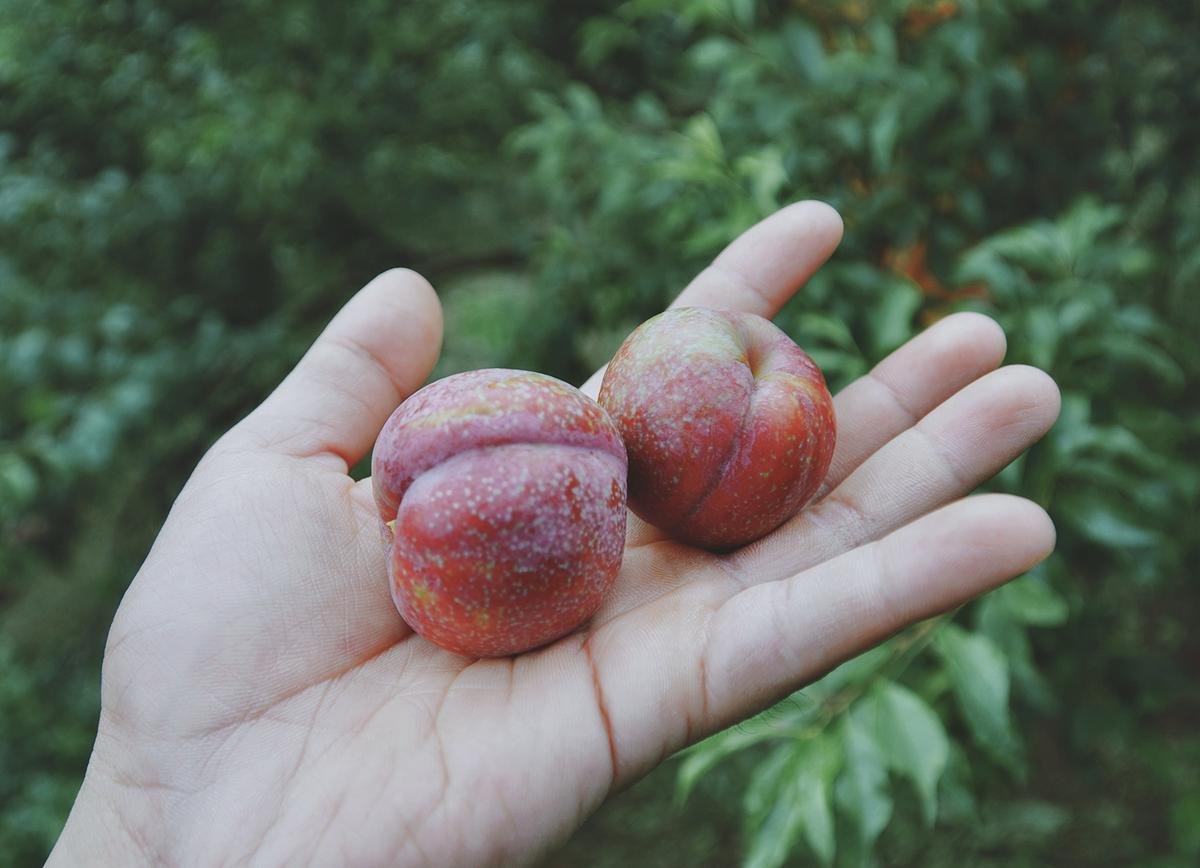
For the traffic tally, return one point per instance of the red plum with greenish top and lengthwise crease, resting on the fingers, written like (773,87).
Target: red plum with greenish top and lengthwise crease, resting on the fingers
(729,426)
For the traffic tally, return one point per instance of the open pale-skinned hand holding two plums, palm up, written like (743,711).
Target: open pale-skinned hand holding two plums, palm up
(263,702)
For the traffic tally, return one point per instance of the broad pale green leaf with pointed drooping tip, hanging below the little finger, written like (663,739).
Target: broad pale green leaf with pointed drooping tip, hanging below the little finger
(911,738)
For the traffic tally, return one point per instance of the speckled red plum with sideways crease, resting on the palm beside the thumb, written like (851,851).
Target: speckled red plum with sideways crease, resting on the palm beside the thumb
(503,499)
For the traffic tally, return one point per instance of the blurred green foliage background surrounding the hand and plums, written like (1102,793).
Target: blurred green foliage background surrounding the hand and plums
(190,190)
